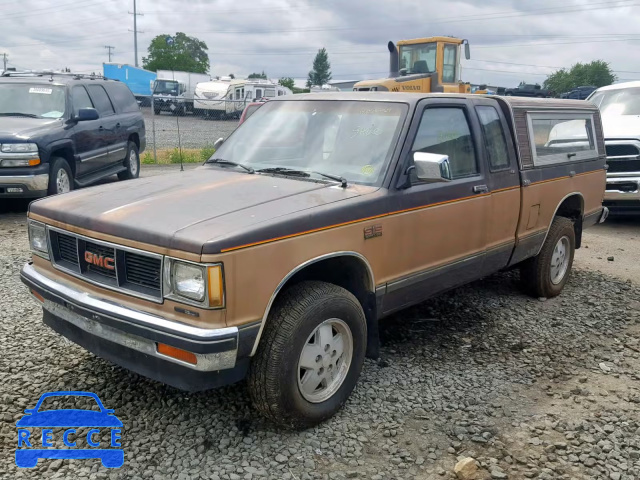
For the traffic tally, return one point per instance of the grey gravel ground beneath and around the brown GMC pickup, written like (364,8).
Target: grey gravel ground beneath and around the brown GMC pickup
(528,388)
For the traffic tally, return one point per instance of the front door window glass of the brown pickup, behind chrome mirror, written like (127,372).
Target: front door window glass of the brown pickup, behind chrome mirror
(446,131)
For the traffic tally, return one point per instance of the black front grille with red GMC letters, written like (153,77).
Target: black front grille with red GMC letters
(113,266)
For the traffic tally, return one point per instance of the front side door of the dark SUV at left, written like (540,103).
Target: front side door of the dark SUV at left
(91,147)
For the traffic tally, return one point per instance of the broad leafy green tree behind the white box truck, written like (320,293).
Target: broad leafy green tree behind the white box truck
(186,54)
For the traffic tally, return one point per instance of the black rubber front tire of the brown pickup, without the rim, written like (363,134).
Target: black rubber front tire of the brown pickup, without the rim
(274,372)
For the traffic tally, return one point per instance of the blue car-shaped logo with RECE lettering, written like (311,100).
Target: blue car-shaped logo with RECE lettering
(31,448)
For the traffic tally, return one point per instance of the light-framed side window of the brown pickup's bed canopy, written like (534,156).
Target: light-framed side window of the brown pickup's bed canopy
(561,137)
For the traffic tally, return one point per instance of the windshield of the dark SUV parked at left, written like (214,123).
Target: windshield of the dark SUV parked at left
(32,100)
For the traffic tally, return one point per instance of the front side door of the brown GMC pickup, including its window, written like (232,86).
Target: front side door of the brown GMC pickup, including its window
(442,236)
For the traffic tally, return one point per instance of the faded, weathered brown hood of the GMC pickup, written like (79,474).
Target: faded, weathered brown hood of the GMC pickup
(186,210)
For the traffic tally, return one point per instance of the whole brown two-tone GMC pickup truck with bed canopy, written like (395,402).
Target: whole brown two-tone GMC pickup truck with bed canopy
(316,218)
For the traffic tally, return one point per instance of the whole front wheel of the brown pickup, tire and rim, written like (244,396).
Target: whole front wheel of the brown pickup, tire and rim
(310,355)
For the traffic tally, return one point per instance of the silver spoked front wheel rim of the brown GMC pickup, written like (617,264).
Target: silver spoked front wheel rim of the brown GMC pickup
(325,360)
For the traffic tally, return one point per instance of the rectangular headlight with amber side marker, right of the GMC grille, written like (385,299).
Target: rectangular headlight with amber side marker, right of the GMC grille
(194,283)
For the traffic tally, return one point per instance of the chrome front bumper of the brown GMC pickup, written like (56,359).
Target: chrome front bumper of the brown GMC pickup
(215,349)
